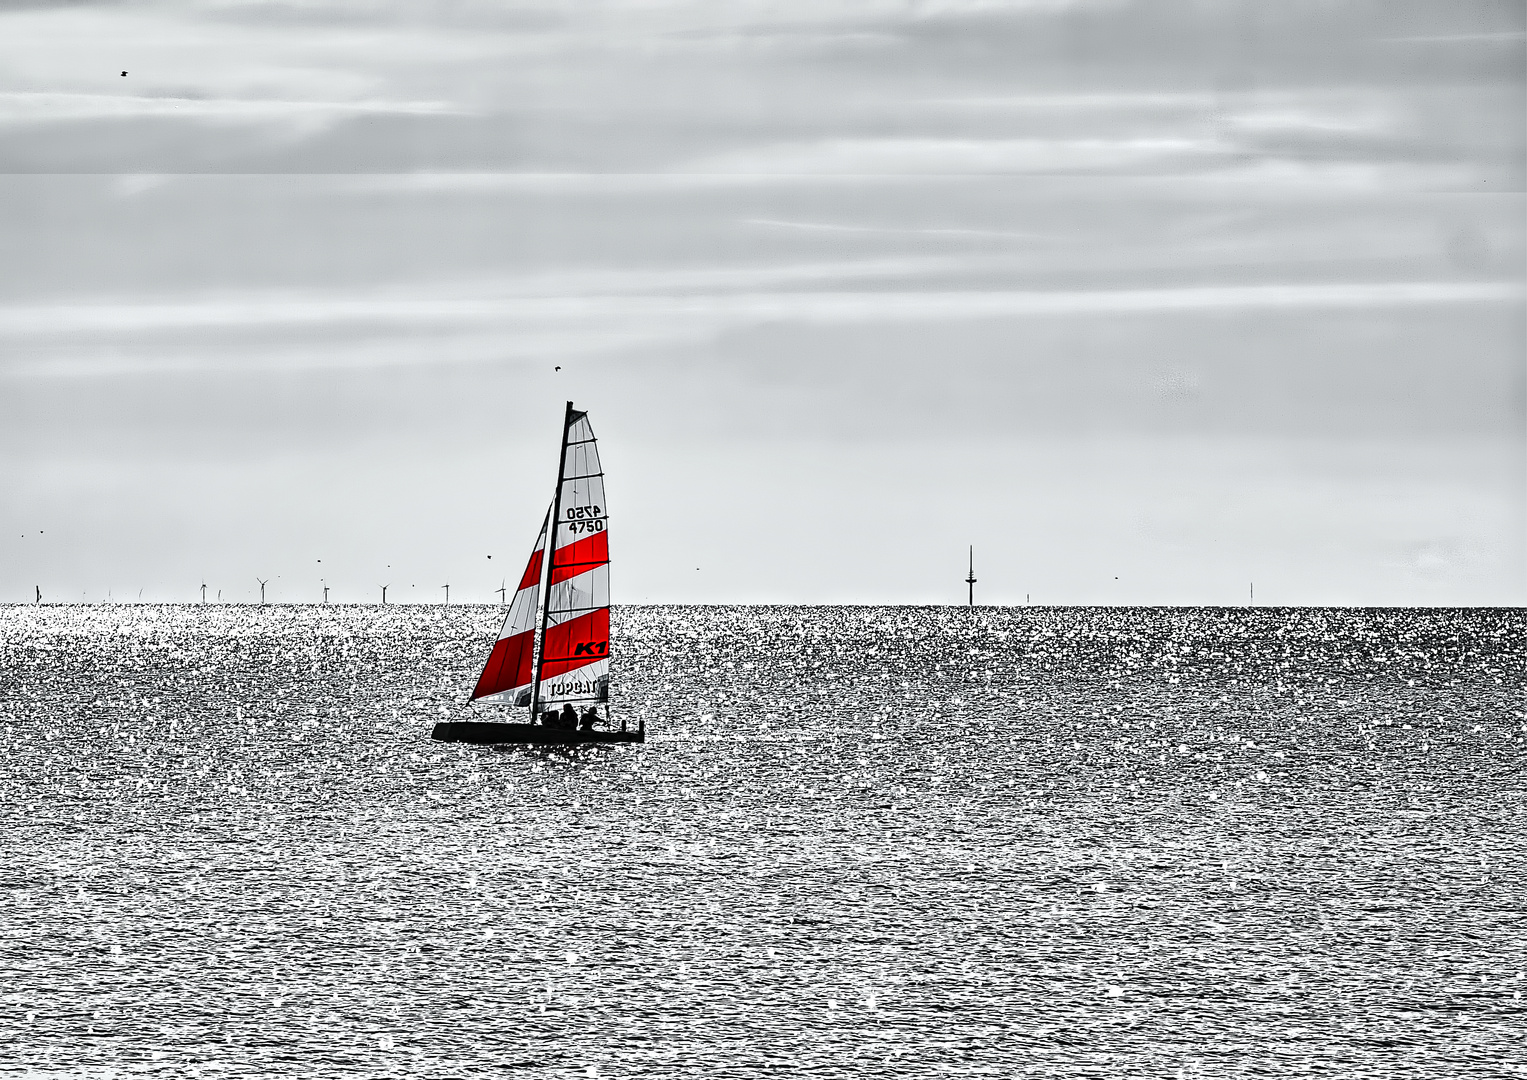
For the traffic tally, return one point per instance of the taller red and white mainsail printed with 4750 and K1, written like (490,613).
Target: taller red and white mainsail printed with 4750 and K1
(575,661)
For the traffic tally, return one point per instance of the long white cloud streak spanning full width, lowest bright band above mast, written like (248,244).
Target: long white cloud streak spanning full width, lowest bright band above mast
(543,328)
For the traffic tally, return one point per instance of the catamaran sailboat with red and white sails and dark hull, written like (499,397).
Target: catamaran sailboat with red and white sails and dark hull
(554,652)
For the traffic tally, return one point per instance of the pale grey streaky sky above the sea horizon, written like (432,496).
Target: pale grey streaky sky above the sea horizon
(1149,303)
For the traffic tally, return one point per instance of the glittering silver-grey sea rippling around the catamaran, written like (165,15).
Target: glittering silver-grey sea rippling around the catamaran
(857,842)
